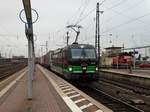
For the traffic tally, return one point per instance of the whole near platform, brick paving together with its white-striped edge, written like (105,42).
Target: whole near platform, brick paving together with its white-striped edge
(50,94)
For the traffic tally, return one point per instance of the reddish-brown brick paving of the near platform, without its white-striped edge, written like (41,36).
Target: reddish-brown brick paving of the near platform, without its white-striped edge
(45,98)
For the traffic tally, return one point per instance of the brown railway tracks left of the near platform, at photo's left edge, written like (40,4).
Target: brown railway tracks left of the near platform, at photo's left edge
(9,69)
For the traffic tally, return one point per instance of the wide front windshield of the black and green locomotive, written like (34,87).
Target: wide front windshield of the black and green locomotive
(83,53)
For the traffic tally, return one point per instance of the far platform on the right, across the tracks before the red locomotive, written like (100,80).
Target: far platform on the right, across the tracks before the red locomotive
(137,77)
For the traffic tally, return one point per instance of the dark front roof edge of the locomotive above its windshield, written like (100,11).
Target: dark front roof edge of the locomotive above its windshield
(77,46)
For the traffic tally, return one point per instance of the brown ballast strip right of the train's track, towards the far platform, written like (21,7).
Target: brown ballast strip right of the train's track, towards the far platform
(137,100)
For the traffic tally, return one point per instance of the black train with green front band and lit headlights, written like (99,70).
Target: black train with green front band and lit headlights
(74,62)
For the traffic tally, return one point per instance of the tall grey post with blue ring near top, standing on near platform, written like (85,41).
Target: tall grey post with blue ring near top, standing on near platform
(29,34)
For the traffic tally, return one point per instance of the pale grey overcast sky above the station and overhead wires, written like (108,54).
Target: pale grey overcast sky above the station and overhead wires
(127,20)
